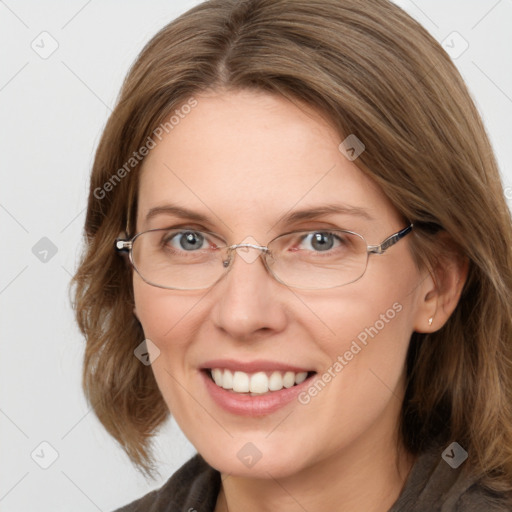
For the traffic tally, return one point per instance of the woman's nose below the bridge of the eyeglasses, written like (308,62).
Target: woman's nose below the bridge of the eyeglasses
(250,303)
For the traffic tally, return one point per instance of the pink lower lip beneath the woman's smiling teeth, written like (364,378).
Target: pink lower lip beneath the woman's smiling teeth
(246,405)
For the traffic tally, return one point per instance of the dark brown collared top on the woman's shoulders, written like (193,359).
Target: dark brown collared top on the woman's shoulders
(432,486)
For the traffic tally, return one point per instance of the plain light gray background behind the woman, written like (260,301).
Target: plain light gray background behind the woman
(52,114)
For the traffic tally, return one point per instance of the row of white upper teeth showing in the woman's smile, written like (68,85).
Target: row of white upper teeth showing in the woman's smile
(258,382)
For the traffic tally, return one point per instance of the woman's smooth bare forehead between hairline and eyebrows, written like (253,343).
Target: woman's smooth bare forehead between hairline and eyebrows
(249,158)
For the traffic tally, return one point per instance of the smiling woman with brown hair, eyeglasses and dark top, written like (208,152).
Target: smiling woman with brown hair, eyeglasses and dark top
(311,270)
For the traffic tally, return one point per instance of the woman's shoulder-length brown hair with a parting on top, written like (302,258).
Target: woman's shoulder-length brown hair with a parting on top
(374,72)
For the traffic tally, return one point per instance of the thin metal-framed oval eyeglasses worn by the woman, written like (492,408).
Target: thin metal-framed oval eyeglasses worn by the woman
(188,259)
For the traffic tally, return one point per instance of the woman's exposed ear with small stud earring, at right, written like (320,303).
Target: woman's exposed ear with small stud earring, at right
(443,287)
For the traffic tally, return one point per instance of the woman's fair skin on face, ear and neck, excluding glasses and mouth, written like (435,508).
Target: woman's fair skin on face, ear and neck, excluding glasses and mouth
(244,160)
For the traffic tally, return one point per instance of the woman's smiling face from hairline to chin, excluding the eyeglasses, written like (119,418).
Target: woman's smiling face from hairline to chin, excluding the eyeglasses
(246,162)
